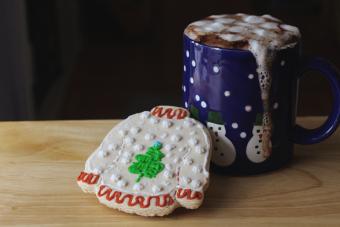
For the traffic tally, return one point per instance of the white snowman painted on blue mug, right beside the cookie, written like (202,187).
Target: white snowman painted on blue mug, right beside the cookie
(224,153)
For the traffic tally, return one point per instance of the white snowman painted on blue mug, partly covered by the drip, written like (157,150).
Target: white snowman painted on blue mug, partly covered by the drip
(254,148)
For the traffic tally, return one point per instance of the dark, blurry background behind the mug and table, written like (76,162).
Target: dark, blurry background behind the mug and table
(85,59)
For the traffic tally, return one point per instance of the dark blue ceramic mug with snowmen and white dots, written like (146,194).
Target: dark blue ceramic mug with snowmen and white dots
(228,101)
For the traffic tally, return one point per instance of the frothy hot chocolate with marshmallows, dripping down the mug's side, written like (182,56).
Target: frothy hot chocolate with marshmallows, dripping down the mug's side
(263,36)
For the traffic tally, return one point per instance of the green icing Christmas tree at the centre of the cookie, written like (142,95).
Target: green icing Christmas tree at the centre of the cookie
(148,164)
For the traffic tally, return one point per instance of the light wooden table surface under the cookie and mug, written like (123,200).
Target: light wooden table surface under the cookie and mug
(39,163)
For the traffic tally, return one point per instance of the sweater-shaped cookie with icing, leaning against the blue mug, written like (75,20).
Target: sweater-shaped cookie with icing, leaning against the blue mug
(151,163)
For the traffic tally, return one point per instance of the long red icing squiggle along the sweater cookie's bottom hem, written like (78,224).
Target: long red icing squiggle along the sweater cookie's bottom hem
(134,200)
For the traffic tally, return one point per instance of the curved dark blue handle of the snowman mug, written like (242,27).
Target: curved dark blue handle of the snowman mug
(310,136)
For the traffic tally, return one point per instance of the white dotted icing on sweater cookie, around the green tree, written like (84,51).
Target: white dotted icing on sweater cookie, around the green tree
(183,165)
